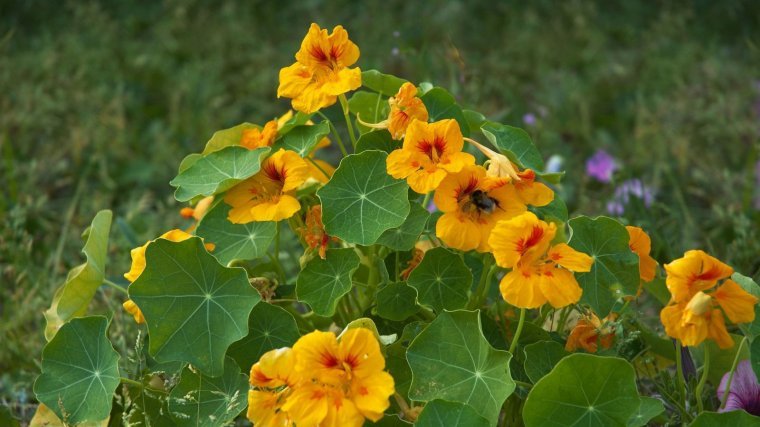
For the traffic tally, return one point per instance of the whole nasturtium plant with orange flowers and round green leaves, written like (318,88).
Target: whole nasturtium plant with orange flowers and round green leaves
(412,262)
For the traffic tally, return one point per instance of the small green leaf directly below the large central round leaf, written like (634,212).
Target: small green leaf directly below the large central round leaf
(324,281)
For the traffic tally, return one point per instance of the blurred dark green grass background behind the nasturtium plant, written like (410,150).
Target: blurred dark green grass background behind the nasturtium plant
(99,101)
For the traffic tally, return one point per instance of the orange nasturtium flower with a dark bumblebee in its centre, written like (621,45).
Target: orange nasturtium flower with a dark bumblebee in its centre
(473,203)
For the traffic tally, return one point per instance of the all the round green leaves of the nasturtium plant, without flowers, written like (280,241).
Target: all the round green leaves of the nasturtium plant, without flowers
(211,315)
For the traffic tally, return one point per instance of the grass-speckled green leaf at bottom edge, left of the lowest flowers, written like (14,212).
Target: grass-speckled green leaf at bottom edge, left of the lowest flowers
(200,400)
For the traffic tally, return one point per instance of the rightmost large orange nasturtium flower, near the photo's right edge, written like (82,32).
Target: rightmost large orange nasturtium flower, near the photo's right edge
(696,308)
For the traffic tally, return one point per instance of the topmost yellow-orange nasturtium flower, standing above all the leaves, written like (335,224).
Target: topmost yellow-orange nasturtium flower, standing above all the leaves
(321,71)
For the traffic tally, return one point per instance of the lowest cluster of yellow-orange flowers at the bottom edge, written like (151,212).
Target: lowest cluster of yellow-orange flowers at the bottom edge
(322,380)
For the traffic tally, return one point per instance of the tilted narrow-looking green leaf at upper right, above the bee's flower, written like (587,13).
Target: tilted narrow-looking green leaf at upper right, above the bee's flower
(514,143)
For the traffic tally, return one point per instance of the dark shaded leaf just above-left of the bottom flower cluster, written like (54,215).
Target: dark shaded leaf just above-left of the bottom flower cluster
(269,327)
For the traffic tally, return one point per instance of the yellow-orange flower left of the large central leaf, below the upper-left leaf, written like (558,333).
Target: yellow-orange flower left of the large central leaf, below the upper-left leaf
(269,195)
